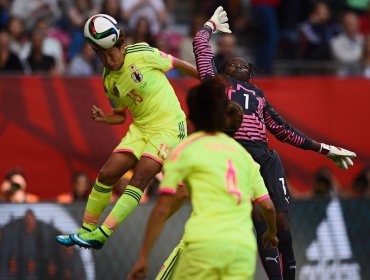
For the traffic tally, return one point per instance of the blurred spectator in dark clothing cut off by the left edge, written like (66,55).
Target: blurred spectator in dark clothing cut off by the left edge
(9,61)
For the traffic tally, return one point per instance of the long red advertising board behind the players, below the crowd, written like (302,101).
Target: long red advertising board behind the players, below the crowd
(45,126)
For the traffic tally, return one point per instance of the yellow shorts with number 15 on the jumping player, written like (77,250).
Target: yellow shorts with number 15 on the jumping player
(153,144)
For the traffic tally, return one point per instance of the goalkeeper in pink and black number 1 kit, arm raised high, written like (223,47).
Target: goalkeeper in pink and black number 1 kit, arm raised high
(260,116)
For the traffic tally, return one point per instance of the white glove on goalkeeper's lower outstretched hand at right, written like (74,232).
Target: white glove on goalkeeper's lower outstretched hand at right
(340,156)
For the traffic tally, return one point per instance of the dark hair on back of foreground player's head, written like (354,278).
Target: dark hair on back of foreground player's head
(207,103)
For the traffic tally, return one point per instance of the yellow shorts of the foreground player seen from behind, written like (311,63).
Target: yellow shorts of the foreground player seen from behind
(213,261)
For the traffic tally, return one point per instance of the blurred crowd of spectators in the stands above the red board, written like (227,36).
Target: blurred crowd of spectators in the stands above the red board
(46,36)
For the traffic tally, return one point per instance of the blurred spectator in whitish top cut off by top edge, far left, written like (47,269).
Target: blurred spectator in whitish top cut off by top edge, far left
(32,10)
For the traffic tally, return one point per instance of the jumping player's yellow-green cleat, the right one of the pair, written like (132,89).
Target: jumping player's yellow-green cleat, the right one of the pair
(94,240)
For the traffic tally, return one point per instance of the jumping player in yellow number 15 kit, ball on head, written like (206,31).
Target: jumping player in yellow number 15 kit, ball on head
(134,80)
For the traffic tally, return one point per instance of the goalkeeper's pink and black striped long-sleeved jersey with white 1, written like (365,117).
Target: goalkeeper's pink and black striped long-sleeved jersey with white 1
(258,112)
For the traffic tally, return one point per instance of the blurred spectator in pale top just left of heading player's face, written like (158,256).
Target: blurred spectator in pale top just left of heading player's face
(85,63)
